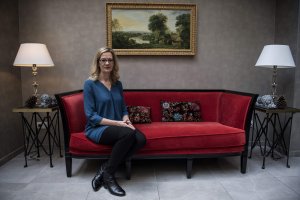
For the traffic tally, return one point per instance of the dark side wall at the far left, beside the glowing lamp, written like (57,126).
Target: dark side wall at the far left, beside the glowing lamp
(11,138)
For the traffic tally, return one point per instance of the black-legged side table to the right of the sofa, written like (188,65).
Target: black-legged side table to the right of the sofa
(271,117)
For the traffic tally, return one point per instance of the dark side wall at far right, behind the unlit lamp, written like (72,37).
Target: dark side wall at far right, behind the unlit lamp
(286,32)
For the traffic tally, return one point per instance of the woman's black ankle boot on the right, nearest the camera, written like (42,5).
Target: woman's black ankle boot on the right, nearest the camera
(111,185)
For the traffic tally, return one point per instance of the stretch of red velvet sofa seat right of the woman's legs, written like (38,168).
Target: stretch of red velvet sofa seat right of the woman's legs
(190,135)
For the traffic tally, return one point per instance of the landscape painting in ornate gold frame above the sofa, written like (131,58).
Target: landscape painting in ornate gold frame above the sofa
(151,29)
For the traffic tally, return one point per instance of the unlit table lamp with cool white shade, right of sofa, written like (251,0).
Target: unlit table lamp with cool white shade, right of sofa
(275,56)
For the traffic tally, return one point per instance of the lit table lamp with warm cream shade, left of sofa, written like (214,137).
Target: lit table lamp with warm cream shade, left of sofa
(33,55)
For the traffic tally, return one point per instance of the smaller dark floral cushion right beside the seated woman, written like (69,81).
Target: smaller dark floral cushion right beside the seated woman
(139,114)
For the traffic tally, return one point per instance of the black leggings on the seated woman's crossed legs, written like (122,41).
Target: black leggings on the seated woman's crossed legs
(125,142)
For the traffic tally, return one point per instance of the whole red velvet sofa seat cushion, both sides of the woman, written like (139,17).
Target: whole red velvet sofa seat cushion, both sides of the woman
(174,137)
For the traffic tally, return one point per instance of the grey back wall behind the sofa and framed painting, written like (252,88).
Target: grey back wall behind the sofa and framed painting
(230,37)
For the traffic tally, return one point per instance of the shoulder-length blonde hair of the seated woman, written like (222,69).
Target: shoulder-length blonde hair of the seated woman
(95,67)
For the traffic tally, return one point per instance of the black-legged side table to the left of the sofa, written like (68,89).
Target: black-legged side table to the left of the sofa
(49,119)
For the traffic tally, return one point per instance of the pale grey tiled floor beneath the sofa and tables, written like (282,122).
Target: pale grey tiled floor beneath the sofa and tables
(212,179)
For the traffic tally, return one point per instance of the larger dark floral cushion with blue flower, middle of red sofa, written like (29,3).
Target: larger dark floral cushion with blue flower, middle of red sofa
(180,111)
